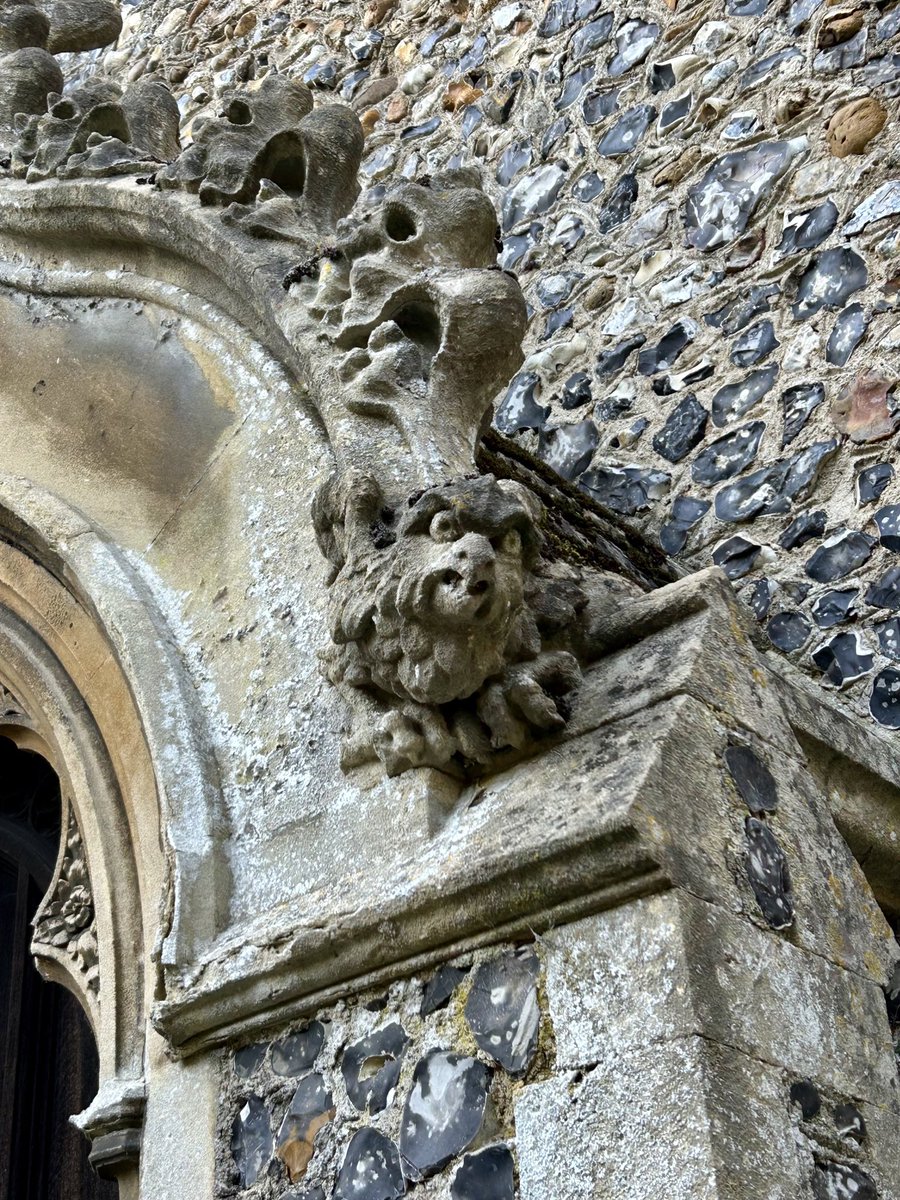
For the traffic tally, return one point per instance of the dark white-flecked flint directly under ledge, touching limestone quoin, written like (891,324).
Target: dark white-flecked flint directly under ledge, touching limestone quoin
(502,1010)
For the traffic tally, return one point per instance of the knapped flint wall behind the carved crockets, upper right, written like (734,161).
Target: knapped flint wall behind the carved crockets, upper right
(703,205)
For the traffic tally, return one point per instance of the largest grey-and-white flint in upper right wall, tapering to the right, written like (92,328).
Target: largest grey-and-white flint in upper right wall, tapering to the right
(721,206)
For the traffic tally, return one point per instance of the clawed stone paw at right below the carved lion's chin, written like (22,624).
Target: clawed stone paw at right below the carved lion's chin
(525,700)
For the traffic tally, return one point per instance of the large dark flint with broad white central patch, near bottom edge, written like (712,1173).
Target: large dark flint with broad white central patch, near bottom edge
(443,1113)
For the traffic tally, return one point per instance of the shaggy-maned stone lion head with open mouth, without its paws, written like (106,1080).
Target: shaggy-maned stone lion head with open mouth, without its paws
(429,603)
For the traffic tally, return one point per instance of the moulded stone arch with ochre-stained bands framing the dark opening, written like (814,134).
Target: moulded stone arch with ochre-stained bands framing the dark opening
(94,683)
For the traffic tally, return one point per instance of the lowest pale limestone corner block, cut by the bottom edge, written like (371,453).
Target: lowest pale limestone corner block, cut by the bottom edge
(683,1120)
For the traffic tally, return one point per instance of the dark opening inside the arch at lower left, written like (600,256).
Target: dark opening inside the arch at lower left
(49,1060)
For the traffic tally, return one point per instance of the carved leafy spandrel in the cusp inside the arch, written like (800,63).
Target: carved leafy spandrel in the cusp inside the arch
(65,921)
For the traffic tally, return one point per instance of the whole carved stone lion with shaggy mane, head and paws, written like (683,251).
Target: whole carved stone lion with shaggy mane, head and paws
(447,635)
